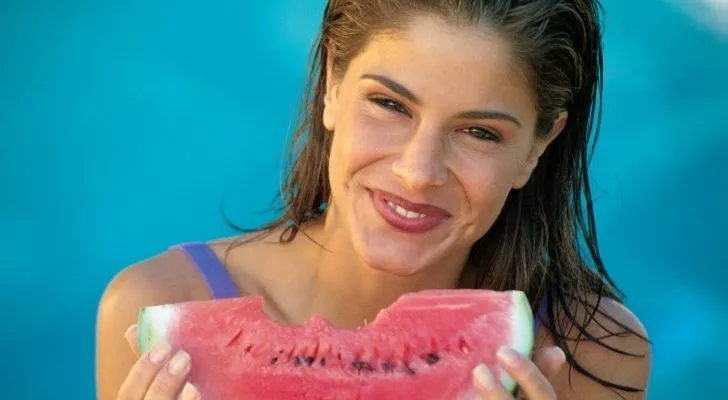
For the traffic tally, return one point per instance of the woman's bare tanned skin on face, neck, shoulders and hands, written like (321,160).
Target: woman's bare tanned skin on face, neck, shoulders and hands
(418,145)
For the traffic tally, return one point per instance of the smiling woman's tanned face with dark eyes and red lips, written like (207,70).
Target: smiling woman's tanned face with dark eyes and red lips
(432,130)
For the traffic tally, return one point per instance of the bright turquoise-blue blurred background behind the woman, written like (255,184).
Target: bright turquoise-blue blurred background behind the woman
(123,125)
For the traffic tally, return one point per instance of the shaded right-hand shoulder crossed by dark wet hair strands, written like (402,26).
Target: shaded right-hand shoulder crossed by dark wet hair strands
(609,344)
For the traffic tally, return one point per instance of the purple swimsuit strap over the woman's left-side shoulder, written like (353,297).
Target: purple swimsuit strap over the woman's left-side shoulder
(211,269)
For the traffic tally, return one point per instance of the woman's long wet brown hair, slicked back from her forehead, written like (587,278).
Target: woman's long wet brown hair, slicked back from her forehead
(544,242)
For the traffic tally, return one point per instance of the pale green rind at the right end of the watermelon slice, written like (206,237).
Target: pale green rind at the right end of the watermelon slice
(523,336)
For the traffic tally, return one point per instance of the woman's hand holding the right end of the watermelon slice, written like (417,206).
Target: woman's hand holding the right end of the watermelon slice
(531,376)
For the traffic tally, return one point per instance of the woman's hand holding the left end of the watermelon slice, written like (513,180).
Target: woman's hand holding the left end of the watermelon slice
(157,374)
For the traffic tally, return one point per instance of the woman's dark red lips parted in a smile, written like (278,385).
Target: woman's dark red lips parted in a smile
(432,215)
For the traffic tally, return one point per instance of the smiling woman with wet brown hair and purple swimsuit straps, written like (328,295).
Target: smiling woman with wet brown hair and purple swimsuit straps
(444,144)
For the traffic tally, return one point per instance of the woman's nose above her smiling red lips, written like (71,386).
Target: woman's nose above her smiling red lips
(421,163)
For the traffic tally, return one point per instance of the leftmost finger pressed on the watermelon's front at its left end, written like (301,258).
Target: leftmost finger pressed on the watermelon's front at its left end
(143,372)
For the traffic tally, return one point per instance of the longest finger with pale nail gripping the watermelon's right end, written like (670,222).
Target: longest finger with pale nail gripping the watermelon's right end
(530,379)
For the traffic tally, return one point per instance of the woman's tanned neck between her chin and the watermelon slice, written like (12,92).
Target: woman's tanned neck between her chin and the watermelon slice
(350,293)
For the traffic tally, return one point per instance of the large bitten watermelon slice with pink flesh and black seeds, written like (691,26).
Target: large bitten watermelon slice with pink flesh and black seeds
(424,346)
